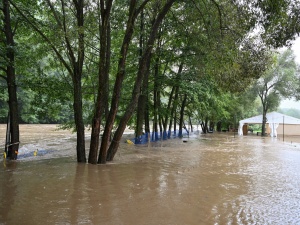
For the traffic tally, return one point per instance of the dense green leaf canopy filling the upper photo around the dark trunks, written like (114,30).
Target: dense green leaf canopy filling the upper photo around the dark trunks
(210,38)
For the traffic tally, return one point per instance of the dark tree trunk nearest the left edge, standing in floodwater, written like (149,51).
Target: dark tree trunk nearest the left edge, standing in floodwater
(11,83)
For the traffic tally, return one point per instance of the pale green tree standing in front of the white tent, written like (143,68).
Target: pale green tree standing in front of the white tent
(280,80)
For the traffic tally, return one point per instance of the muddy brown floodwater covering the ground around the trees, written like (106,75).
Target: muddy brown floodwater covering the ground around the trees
(208,179)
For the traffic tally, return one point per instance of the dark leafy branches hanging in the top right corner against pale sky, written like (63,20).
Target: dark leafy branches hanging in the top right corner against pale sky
(277,20)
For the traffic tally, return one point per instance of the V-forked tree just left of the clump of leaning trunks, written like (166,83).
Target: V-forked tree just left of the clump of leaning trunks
(70,51)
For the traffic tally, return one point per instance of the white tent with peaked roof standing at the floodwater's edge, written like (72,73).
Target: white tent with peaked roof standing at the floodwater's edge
(273,119)
